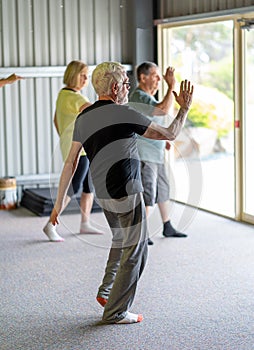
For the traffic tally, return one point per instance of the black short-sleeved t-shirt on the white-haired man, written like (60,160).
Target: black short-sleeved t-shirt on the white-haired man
(108,134)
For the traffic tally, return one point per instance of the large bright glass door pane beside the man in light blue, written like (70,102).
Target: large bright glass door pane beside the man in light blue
(203,53)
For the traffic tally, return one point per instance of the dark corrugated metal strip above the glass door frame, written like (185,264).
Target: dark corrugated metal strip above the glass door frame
(177,8)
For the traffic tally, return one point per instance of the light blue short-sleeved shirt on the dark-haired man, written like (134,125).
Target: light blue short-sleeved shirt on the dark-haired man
(149,150)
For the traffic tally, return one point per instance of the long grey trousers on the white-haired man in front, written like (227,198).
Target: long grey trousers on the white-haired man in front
(127,257)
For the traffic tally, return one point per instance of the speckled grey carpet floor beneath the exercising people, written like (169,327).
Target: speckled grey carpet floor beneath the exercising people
(195,293)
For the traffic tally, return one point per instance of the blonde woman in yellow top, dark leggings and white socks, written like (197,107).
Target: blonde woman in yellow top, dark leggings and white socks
(69,104)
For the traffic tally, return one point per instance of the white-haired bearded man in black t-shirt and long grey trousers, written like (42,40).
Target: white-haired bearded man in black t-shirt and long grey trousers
(107,130)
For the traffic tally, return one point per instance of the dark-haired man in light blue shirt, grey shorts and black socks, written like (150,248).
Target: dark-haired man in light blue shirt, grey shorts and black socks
(151,152)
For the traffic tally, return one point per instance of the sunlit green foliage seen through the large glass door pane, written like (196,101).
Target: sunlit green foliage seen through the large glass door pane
(207,50)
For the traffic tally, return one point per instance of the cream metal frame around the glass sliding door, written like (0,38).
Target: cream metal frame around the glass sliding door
(239,97)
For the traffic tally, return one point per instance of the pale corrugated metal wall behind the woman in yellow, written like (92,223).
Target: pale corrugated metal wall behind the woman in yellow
(38,38)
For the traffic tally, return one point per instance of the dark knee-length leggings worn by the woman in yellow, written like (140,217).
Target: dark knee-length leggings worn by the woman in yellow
(80,178)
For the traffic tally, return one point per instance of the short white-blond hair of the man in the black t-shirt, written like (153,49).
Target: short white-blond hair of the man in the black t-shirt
(105,74)
